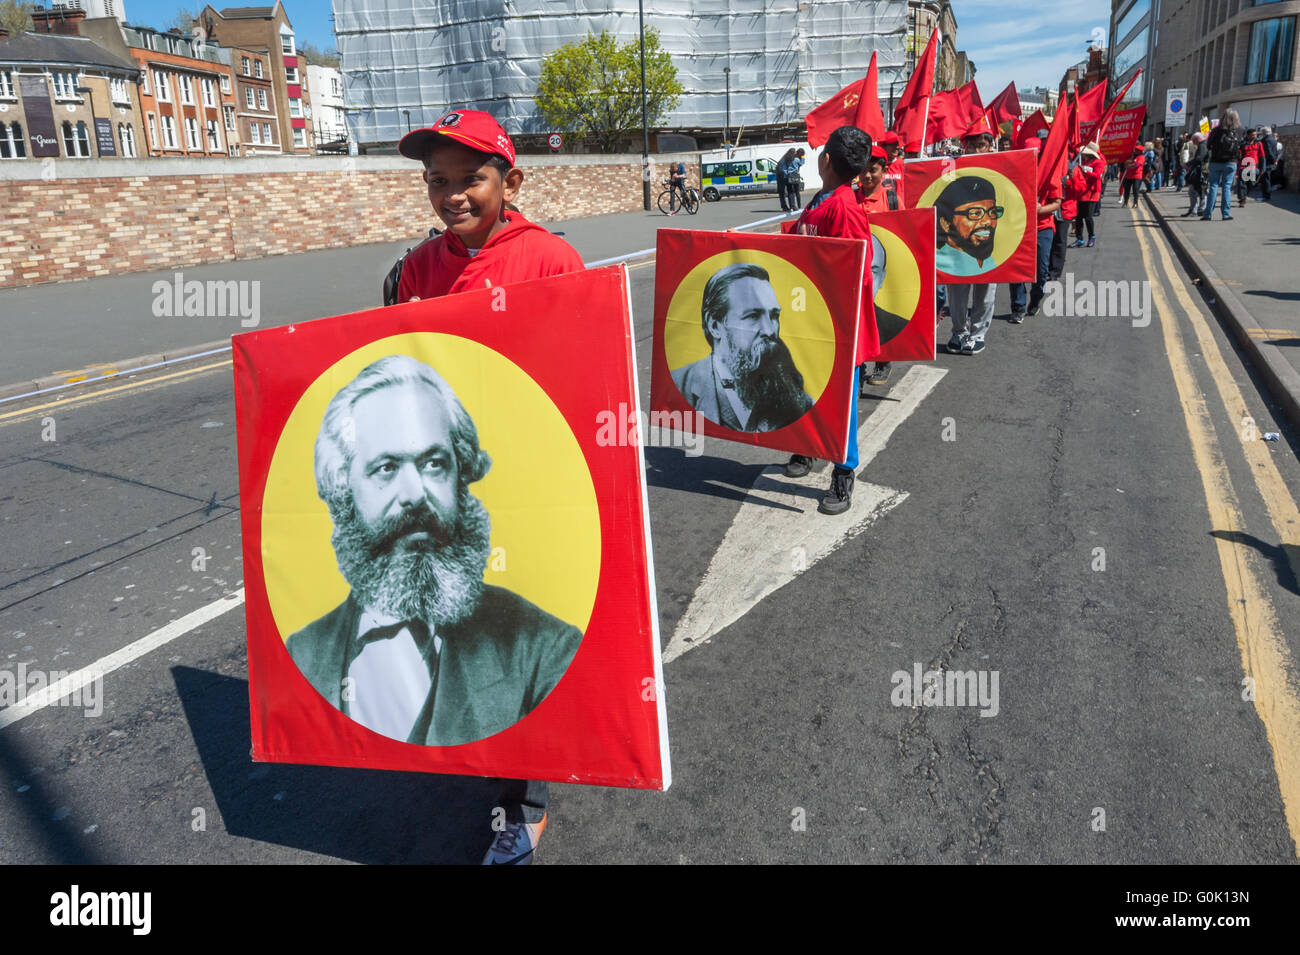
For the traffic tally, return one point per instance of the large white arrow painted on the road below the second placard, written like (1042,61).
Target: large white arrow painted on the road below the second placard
(778,533)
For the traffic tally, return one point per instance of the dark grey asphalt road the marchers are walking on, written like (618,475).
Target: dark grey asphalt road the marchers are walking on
(1121,689)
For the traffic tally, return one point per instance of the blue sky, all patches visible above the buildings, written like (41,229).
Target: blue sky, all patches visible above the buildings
(1032,42)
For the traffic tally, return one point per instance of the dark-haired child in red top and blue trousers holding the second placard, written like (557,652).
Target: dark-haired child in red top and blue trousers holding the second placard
(835,212)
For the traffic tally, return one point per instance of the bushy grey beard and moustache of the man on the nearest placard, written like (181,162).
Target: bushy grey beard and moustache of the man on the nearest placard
(439,580)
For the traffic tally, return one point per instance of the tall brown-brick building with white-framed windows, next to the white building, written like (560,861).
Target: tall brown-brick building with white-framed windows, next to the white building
(268,29)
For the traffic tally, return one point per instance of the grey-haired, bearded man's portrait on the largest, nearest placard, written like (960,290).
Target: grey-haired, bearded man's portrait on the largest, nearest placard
(422,650)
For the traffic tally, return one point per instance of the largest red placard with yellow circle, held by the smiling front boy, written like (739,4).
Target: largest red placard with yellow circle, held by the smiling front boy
(447,555)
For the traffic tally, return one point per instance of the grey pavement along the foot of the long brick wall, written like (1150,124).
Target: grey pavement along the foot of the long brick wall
(60,333)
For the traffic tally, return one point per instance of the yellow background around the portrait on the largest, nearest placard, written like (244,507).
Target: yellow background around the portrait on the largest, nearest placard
(539,492)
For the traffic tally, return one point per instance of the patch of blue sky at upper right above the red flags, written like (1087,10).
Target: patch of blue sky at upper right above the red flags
(1030,42)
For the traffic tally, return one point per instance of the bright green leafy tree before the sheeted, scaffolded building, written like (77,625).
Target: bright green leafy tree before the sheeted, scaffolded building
(595,88)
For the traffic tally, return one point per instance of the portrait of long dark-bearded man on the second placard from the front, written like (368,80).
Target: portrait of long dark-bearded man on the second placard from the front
(749,383)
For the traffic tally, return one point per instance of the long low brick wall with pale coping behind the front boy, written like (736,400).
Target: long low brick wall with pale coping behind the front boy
(67,220)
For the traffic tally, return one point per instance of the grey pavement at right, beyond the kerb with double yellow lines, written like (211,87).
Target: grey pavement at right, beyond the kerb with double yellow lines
(1247,270)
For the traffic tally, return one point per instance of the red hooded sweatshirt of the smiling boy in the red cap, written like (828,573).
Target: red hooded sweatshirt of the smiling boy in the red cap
(521,251)
